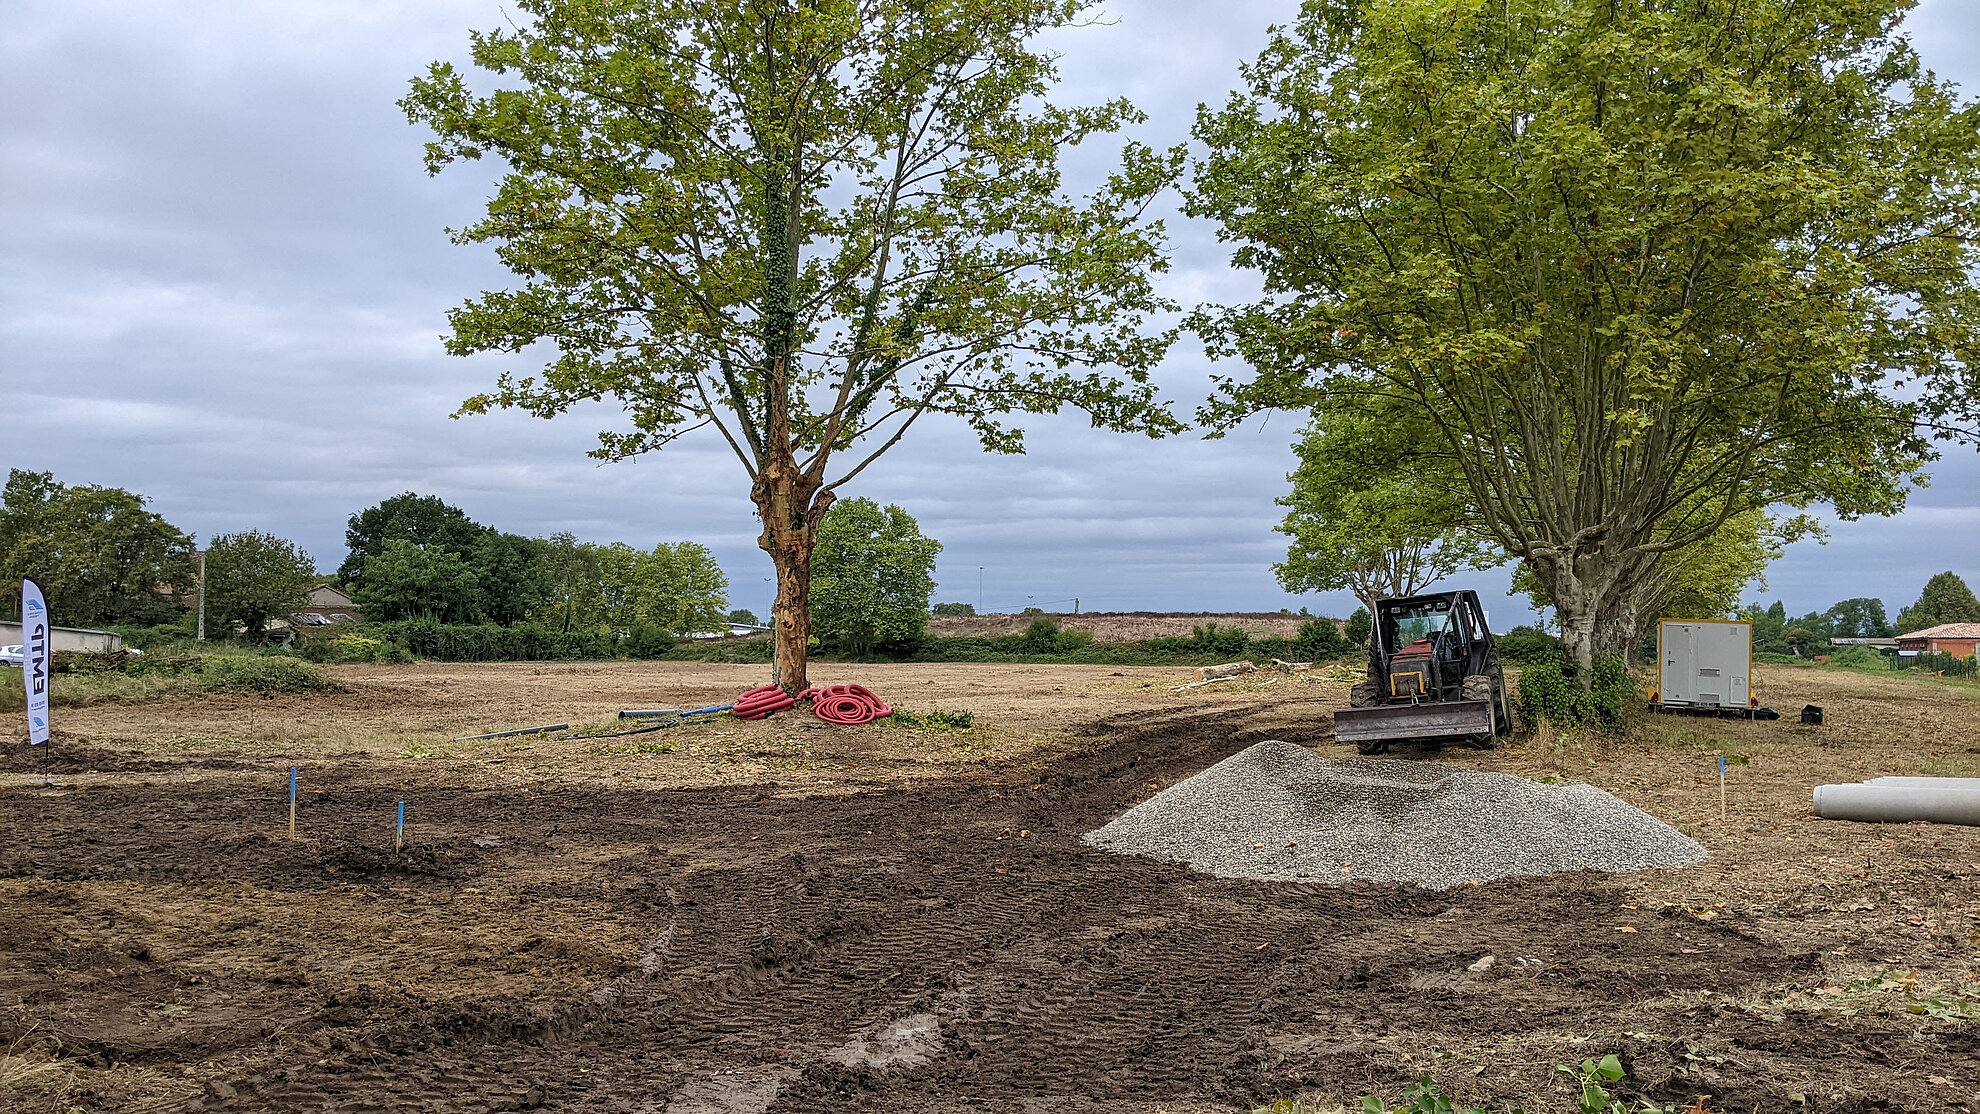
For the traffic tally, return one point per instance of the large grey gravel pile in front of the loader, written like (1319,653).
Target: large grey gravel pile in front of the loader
(1286,814)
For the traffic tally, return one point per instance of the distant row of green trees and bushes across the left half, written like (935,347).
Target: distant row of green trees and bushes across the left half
(106,559)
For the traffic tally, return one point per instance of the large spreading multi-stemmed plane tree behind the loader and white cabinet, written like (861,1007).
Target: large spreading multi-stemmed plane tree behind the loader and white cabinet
(1642,266)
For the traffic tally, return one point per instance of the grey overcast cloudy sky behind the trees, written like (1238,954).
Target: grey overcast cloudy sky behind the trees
(225,278)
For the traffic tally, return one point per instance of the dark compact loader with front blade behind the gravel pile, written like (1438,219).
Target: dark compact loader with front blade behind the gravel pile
(1435,678)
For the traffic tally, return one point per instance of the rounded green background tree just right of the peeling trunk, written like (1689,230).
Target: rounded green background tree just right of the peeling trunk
(872,577)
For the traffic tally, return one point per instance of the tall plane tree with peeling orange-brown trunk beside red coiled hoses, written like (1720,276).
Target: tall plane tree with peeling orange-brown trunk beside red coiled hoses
(805,227)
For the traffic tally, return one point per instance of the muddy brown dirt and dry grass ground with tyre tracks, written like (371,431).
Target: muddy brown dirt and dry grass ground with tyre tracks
(795,917)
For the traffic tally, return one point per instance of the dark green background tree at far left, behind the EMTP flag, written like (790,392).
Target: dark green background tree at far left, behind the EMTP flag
(96,551)
